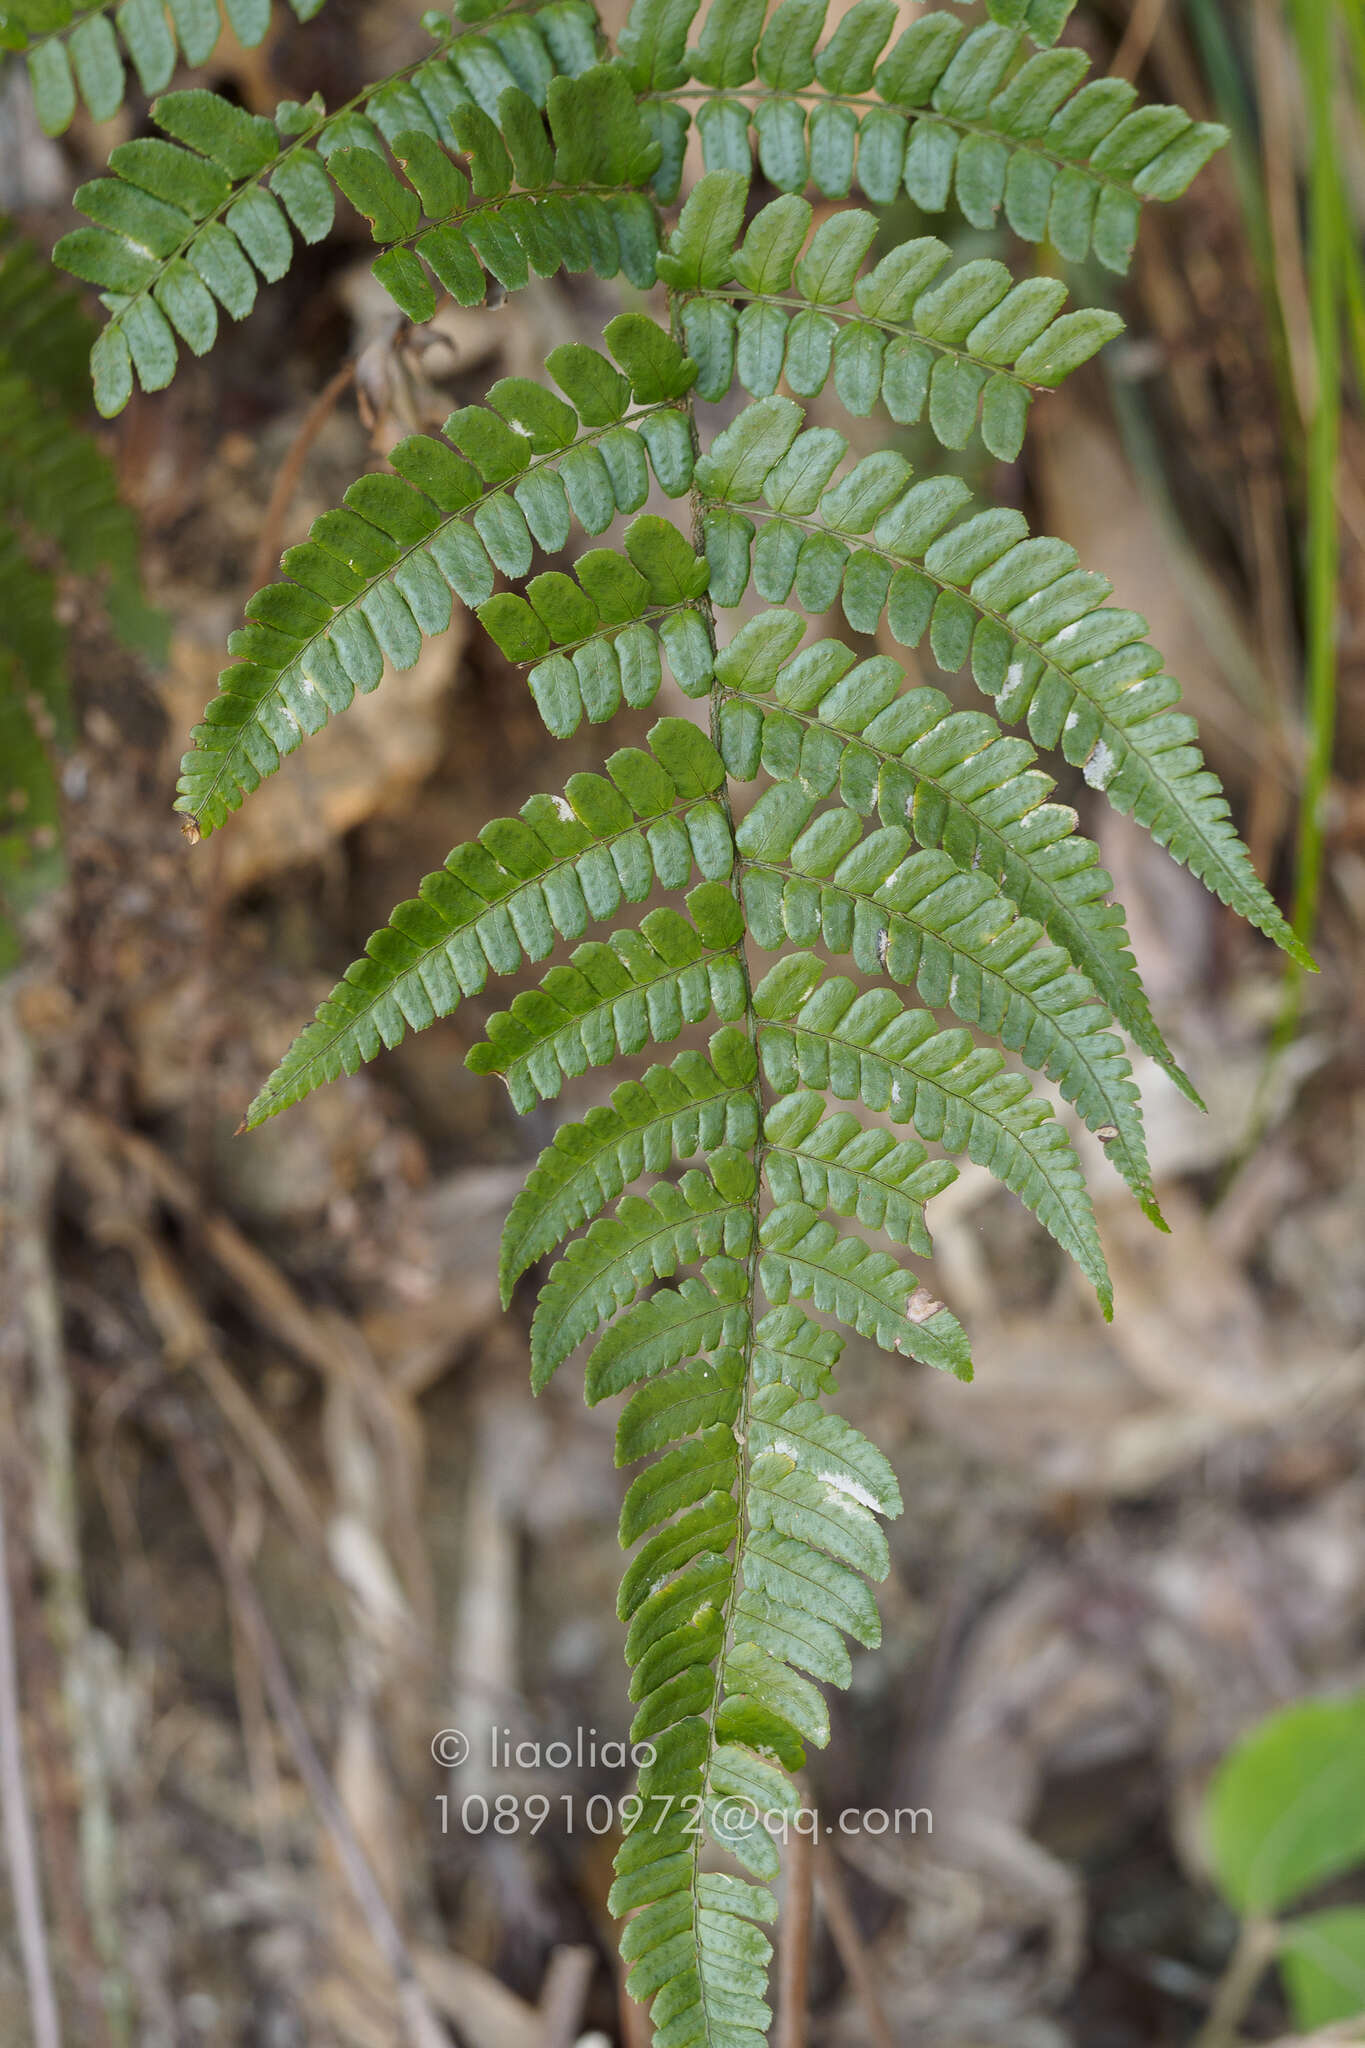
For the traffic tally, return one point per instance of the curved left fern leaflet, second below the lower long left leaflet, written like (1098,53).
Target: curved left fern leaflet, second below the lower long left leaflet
(672,1113)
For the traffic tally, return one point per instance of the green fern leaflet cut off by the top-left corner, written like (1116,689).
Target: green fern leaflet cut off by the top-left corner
(75,48)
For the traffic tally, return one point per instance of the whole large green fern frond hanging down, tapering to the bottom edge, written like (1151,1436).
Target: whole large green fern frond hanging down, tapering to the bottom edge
(873,894)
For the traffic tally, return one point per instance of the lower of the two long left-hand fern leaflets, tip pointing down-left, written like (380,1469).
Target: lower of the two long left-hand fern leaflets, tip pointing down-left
(509,896)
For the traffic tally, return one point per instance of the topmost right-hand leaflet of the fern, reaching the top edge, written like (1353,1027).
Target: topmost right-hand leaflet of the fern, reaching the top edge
(944,114)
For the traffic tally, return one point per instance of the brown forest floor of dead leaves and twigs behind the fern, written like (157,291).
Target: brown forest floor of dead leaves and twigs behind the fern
(306,1449)
